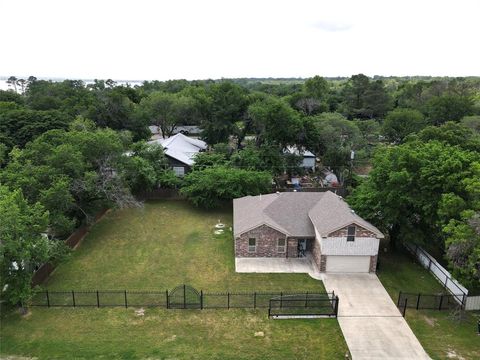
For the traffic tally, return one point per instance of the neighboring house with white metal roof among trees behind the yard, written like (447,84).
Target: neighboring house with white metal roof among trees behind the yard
(180,151)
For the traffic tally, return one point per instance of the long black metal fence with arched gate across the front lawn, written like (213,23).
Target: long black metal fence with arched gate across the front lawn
(182,297)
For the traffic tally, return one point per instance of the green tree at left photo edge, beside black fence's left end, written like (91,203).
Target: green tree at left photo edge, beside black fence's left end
(23,246)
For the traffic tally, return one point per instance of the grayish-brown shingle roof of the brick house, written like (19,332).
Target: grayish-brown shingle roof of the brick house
(296,213)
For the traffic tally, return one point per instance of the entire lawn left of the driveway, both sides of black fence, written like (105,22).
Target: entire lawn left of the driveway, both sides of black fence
(159,247)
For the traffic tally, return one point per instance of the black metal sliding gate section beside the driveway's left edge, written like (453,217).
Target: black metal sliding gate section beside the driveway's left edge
(303,305)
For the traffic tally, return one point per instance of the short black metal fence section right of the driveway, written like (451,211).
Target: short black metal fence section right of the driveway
(428,301)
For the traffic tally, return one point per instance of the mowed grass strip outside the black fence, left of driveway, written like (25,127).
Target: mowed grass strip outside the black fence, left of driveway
(115,333)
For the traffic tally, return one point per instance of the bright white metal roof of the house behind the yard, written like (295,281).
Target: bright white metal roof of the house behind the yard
(181,147)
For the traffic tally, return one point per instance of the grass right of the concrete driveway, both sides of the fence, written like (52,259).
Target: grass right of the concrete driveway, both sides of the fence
(440,334)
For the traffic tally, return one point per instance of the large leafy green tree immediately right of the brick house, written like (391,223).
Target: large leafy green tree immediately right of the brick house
(416,188)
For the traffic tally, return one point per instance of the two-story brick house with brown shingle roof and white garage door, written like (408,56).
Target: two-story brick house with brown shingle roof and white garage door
(316,225)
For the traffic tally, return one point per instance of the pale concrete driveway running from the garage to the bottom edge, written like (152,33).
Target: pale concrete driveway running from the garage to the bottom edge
(371,323)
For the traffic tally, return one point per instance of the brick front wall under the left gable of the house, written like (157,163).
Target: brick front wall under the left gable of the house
(266,241)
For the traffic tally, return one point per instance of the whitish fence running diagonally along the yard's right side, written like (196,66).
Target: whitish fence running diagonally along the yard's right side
(439,272)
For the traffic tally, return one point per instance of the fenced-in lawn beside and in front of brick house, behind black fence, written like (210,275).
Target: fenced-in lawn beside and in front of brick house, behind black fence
(165,244)
